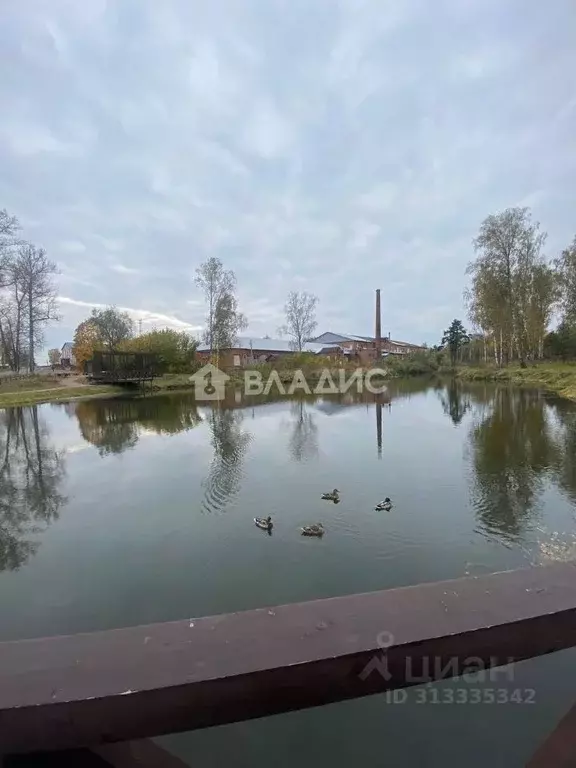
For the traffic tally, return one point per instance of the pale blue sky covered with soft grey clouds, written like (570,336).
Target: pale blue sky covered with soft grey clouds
(332,146)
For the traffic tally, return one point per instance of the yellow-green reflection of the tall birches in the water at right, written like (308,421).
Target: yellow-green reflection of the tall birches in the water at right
(513,447)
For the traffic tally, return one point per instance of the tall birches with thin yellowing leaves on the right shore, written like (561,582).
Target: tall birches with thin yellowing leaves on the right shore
(515,291)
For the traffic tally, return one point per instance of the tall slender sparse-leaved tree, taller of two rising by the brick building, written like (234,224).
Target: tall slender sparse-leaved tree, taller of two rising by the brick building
(223,320)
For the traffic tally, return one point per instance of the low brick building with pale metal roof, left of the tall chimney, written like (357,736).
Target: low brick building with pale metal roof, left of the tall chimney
(249,351)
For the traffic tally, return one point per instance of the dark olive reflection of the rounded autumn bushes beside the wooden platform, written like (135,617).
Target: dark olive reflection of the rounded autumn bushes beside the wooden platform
(113,426)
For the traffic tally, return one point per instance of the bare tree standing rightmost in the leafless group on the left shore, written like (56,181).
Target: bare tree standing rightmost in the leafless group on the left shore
(34,273)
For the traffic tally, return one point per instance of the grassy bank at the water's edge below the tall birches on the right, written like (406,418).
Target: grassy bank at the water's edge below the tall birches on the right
(555,377)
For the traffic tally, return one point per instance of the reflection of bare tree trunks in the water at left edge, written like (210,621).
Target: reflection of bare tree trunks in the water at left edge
(31,472)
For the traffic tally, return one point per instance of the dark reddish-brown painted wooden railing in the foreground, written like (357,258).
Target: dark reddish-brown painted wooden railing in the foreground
(93,690)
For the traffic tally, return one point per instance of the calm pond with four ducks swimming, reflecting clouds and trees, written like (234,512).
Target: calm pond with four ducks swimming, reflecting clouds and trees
(124,512)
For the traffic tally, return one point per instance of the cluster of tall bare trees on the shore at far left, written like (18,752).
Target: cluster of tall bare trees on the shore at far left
(27,296)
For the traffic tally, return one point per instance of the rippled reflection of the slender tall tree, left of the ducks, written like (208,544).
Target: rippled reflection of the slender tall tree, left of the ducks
(230,443)
